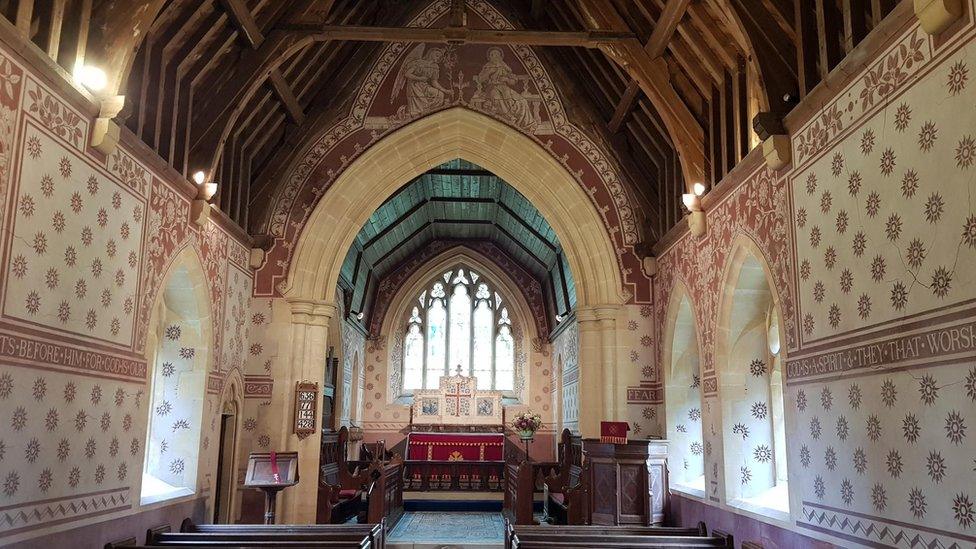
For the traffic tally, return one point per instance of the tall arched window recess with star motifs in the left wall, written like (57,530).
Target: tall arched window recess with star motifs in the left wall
(178,350)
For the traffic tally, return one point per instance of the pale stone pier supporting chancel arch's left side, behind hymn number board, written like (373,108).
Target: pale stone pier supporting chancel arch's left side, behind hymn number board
(305,343)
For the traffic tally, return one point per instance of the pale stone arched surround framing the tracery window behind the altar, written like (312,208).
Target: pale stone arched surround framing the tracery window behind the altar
(393,327)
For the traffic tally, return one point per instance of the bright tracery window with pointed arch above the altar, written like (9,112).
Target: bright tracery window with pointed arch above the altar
(459,320)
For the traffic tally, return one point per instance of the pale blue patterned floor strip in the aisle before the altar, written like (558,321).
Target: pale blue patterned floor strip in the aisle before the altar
(436,530)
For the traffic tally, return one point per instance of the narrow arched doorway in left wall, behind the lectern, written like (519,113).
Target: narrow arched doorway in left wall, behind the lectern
(226,502)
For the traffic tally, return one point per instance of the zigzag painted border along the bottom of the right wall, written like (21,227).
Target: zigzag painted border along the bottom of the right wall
(873,529)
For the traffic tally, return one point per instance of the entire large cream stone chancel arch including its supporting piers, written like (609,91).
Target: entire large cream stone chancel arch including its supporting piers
(379,172)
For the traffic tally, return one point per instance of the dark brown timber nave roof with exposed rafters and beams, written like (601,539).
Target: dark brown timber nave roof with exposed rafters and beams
(669,87)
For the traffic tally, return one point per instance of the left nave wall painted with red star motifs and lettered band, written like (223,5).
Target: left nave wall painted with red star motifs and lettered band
(87,241)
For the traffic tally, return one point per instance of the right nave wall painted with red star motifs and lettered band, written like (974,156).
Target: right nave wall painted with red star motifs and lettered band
(867,239)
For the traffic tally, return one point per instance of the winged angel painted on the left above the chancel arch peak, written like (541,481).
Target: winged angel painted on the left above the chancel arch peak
(419,76)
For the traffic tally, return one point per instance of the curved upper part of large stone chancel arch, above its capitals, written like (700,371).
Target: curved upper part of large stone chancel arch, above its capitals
(426,143)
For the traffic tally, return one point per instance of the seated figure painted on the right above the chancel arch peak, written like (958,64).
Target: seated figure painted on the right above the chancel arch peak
(496,90)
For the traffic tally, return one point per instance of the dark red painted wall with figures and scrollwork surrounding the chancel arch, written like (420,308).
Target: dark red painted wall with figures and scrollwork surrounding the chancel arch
(409,81)
